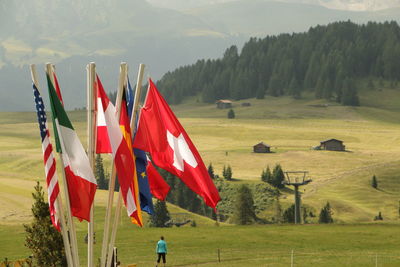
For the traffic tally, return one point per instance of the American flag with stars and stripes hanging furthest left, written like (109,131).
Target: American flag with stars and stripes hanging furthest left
(53,188)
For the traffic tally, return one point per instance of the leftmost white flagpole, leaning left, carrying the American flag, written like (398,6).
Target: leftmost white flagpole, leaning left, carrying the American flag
(58,202)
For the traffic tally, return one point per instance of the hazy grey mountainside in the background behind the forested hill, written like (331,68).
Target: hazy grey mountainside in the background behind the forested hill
(73,33)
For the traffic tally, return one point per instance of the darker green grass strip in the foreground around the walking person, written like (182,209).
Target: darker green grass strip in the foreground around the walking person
(328,245)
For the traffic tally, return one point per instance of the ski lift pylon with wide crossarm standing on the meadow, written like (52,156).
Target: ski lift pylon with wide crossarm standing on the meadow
(297,179)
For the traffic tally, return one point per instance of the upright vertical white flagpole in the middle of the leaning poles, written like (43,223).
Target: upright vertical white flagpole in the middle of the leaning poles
(91,127)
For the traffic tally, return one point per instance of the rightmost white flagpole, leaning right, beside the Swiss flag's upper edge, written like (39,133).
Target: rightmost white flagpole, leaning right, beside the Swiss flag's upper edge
(132,124)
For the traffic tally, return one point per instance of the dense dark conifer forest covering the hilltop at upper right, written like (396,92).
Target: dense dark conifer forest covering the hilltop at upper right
(327,60)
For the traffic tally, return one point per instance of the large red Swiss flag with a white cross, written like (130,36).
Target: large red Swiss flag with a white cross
(160,133)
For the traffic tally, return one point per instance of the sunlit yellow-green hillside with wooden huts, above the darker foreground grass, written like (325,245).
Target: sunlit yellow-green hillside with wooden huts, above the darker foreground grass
(290,126)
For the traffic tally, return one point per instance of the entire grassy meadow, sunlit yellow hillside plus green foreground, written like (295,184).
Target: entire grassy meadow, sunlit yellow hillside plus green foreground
(371,134)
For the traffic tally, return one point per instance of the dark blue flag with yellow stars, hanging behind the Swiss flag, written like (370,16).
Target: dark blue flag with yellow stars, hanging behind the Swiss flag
(146,203)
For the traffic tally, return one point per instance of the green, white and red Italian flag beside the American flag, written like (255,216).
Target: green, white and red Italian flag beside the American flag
(80,178)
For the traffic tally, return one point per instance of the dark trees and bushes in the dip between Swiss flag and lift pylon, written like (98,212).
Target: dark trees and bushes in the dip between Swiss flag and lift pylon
(241,207)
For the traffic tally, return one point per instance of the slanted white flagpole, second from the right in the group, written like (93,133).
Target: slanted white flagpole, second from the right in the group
(105,254)
